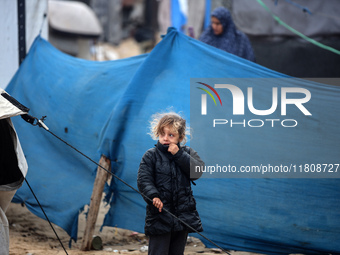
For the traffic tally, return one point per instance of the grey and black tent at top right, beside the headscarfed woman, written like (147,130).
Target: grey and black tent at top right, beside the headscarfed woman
(278,48)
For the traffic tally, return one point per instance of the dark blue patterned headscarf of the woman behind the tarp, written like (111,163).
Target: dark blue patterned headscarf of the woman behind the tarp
(231,40)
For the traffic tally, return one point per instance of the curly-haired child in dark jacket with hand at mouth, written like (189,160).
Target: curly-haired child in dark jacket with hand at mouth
(164,177)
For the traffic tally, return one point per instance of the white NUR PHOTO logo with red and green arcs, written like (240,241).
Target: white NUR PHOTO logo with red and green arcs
(278,103)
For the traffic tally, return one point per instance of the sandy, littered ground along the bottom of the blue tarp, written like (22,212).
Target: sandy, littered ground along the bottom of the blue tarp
(31,235)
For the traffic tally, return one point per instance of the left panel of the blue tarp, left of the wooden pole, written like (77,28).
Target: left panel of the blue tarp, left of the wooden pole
(77,96)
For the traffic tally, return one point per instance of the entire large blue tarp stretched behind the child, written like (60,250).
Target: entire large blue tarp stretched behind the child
(106,107)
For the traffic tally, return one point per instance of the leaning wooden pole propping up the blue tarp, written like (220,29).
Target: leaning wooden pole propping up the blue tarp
(96,198)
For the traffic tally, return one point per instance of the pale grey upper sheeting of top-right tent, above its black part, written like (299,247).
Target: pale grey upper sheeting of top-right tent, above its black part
(322,21)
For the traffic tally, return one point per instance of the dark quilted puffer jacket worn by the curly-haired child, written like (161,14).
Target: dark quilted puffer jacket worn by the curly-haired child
(167,177)
